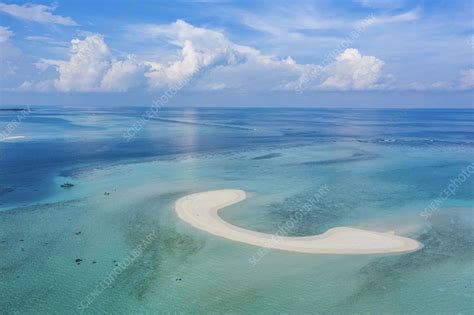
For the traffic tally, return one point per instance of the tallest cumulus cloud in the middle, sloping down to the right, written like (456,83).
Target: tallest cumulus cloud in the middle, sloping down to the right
(216,60)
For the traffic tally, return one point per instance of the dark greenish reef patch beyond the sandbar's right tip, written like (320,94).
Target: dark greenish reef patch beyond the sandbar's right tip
(448,238)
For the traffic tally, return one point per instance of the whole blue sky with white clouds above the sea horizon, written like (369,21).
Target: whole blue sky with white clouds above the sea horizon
(348,53)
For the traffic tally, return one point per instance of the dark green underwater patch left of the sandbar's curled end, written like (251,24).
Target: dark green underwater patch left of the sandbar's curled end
(166,253)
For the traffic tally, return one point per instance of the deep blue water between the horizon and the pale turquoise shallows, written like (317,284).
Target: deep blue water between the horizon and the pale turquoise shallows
(54,142)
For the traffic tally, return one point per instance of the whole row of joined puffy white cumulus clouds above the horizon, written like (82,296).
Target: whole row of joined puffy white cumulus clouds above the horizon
(205,54)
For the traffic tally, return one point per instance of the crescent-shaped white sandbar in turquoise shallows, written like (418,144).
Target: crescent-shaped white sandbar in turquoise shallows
(201,211)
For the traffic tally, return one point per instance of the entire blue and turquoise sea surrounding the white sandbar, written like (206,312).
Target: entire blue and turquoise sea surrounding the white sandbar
(382,169)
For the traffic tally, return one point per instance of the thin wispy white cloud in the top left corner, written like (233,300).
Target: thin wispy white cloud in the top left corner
(36,13)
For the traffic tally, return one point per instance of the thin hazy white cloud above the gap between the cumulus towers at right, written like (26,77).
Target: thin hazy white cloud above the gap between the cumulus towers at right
(299,29)
